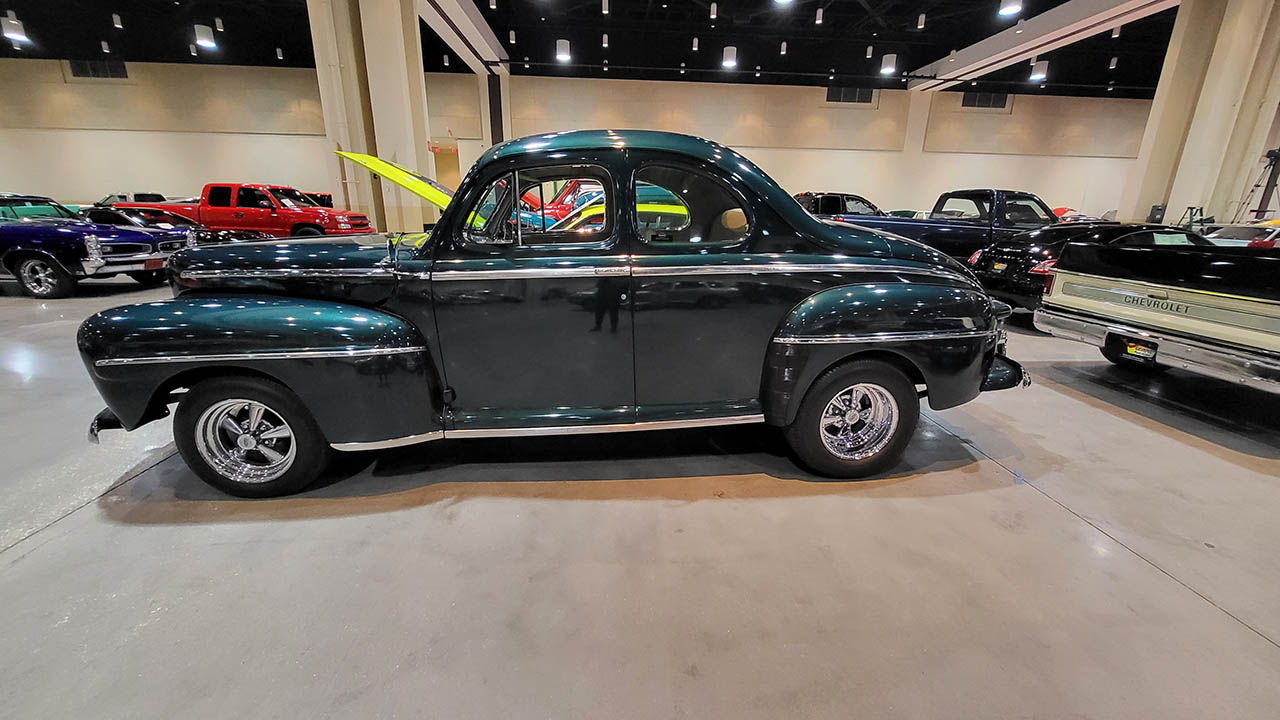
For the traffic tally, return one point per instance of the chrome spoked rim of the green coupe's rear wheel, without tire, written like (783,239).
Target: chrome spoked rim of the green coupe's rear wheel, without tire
(860,422)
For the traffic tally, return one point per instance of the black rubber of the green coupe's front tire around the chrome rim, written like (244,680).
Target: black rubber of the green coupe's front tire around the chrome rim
(199,416)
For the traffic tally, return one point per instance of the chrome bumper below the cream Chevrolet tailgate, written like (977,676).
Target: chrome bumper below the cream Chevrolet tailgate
(1256,370)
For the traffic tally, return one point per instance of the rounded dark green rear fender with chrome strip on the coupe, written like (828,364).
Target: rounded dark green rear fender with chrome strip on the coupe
(941,336)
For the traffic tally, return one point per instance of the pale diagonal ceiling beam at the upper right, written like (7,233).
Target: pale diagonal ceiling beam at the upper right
(1064,25)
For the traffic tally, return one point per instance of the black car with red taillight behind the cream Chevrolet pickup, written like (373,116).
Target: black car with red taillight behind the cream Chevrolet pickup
(1018,270)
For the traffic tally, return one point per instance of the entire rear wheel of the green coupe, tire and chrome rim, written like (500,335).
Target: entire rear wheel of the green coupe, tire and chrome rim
(856,421)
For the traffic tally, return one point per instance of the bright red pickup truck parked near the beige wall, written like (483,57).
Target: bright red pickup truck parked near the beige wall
(273,209)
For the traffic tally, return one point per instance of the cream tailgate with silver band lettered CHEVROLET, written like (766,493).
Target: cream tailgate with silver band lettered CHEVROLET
(1226,318)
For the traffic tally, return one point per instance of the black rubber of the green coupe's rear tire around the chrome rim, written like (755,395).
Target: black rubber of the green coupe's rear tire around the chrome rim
(880,380)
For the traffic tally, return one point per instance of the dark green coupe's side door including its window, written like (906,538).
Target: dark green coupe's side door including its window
(536,325)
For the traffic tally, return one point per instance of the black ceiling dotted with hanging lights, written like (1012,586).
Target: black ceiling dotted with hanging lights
(648,39)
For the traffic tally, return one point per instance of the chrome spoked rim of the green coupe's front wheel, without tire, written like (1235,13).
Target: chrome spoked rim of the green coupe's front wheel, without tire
(245,441)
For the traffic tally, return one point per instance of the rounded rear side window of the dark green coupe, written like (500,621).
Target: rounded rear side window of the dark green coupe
(682,207)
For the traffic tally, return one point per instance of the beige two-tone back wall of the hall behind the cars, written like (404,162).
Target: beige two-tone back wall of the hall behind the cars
(173,127)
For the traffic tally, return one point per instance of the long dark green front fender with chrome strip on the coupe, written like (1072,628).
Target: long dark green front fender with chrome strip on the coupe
(365,375)
